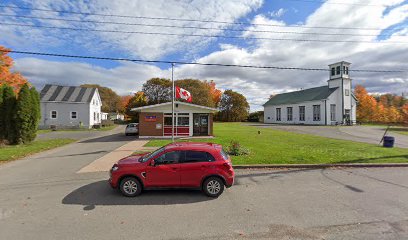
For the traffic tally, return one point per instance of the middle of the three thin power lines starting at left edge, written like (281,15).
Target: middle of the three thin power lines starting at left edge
(191,27)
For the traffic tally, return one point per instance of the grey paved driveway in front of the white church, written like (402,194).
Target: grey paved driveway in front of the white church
(365,134)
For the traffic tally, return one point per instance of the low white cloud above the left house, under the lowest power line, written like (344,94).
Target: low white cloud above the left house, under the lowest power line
(126,78)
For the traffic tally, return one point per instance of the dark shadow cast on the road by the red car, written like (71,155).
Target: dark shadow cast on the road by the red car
(100,193)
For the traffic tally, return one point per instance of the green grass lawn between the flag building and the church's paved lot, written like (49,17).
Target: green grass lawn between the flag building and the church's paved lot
(280,147)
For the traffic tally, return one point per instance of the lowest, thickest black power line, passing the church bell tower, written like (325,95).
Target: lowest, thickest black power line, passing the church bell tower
(195,63)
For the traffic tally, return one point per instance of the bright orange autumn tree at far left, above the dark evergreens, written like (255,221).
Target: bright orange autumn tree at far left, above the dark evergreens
(13,79)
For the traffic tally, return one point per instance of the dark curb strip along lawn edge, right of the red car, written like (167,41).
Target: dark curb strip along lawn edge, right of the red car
(342,165)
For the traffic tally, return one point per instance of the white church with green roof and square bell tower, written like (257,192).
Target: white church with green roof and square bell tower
(326,105)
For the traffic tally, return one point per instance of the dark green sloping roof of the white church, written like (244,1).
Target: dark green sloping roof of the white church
(310,94)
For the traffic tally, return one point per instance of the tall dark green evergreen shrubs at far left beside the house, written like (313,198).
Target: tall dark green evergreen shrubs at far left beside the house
(19,114)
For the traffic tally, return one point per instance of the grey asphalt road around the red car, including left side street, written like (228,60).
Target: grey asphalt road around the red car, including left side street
(43,197)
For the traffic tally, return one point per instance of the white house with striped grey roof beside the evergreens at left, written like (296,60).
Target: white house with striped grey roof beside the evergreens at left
(70,107)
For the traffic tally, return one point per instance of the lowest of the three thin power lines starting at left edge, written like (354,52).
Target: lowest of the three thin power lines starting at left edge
(198,35)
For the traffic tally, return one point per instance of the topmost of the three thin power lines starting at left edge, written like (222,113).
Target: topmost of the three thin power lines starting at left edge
(179,19)
